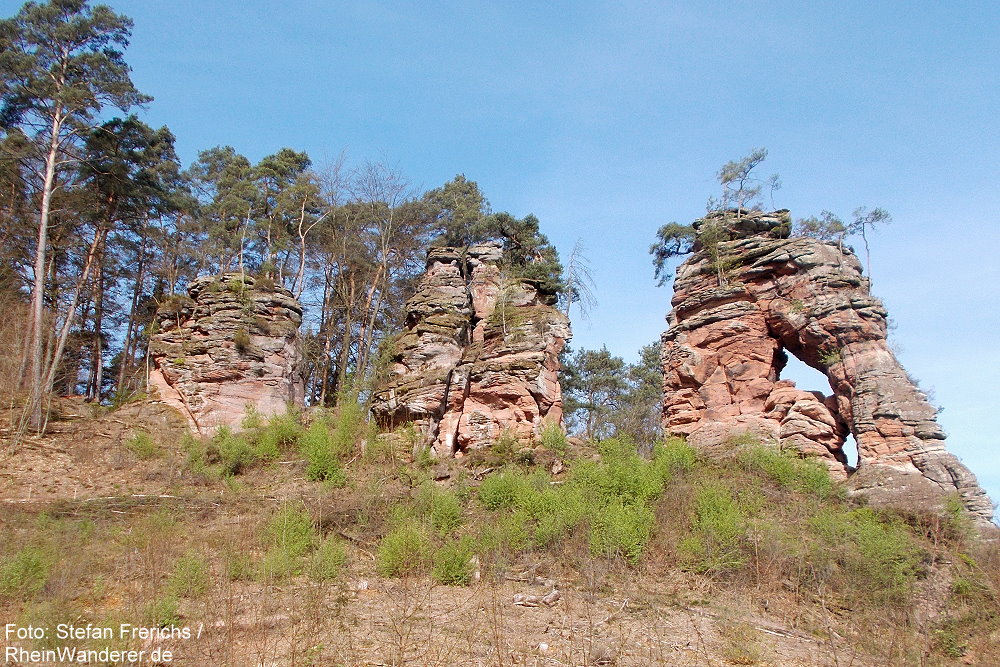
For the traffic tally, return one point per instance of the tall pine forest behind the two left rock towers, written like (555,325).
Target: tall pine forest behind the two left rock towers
(100,223)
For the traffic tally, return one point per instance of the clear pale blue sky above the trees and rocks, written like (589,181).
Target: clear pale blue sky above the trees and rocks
(607,119)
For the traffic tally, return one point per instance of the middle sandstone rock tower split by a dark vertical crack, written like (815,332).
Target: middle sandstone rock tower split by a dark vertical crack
(479,355)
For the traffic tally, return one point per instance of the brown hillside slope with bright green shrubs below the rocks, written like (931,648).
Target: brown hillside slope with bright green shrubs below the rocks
(314,538)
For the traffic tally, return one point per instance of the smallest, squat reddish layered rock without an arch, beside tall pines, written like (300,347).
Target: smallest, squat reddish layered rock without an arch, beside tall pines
(231,343)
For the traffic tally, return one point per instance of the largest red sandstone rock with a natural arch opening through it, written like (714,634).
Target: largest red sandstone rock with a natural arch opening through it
(725,348)
